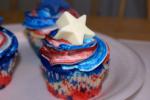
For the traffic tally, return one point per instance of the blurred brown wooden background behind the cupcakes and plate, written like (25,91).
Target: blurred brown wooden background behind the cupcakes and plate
(127,19)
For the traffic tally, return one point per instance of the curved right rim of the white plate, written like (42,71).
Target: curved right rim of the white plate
(141,69)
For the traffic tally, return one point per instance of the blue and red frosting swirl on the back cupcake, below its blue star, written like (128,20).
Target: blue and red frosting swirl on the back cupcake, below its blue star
(44,17)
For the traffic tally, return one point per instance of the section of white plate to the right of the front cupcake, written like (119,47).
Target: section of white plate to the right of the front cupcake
(127,72)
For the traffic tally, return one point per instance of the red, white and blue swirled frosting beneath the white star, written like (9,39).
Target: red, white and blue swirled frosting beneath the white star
(86,57)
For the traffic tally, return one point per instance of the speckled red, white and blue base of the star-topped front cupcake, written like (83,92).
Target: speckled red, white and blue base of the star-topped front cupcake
(74,83)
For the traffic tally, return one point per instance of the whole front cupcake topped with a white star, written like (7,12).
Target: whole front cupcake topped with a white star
(74,60)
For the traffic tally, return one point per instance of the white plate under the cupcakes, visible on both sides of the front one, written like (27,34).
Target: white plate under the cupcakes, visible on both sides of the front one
(125,78)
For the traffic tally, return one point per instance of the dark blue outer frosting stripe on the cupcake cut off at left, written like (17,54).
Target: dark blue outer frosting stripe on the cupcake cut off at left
(13,46)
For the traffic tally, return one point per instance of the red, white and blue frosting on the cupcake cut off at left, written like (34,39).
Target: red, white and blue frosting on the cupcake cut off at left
(8,45)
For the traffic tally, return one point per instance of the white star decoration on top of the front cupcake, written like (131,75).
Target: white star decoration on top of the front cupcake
(73,29)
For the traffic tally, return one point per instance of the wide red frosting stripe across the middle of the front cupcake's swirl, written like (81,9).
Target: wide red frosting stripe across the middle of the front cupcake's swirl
(66,57)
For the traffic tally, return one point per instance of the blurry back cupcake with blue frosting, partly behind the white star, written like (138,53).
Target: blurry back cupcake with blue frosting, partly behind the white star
(42,21)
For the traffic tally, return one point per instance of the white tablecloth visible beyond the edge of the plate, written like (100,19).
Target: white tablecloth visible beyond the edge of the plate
(141,47)
